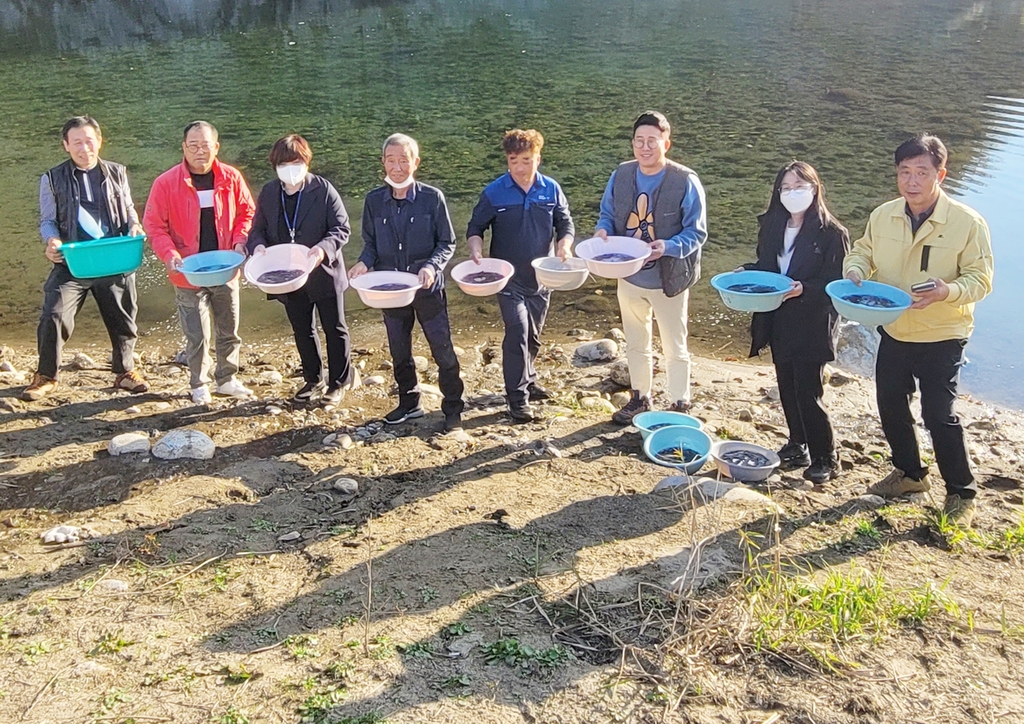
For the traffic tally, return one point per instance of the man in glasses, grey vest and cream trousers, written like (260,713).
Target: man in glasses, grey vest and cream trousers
(663,203)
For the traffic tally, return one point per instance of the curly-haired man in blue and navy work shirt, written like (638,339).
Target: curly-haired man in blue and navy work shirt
(526,211)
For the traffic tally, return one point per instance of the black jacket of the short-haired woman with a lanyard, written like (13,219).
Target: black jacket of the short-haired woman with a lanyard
(322,223)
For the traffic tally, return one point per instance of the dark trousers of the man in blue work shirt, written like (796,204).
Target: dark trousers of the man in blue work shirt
(524,316)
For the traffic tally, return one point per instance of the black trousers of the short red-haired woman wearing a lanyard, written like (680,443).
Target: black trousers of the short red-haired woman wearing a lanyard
(332,316)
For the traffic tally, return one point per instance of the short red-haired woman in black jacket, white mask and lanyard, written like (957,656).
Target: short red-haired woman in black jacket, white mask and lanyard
(303,208)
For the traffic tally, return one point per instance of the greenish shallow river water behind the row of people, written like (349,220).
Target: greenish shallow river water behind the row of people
(749,86)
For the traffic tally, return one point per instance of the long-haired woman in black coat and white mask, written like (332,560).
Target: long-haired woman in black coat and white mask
(800,238)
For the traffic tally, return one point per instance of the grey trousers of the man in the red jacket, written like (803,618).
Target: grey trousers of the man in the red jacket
(196,307)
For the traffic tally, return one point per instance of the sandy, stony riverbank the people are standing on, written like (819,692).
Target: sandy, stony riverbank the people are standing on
(508,574)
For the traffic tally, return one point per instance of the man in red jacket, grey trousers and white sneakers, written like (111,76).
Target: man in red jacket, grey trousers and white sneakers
(203,205)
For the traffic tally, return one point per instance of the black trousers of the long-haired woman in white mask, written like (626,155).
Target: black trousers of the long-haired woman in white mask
(800,391)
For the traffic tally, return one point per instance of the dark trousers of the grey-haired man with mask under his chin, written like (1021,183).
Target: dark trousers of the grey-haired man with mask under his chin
(432,311)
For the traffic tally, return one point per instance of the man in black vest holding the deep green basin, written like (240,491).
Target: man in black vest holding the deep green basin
(86,198)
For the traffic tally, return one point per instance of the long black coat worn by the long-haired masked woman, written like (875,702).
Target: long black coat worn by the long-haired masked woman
(806,326)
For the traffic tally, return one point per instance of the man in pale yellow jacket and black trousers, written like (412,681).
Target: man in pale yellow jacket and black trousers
(925,238)
